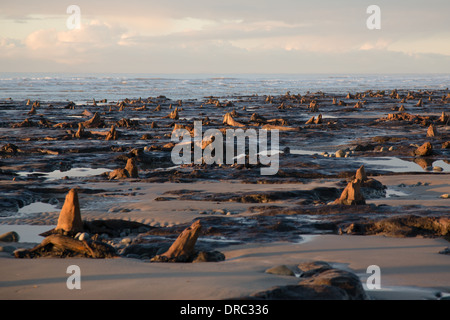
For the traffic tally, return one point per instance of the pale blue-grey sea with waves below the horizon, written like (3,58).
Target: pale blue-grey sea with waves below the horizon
(114,87)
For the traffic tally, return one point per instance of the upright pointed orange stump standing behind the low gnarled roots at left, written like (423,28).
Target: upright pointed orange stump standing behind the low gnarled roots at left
(69,220)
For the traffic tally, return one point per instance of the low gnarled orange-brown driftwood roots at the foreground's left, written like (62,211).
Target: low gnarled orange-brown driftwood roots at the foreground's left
(58,245)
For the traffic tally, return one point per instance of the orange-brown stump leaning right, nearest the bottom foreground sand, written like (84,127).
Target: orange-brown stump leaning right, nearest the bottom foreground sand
(182,250)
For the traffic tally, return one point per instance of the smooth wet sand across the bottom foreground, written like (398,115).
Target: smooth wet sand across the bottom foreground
(410,269)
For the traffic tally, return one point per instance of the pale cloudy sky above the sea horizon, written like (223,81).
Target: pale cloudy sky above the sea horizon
(232,36)
